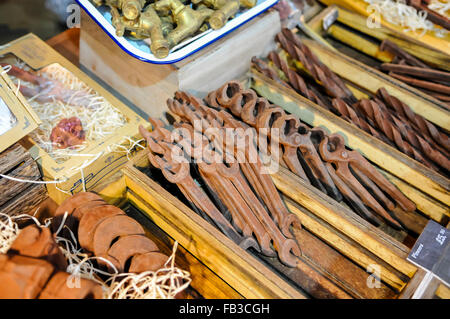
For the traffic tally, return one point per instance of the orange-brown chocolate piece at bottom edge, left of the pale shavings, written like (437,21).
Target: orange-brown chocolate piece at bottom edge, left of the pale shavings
(58,288)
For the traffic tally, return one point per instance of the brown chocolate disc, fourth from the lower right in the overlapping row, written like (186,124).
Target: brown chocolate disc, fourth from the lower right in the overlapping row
(89,222)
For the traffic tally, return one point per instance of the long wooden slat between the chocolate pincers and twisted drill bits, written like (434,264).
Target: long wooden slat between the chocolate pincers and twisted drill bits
(385,156)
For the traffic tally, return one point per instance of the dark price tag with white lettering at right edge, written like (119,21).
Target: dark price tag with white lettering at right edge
(432,251)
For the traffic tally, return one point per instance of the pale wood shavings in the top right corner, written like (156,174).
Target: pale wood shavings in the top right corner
(399,13)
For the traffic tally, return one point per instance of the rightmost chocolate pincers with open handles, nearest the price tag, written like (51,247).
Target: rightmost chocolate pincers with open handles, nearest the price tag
(332,149)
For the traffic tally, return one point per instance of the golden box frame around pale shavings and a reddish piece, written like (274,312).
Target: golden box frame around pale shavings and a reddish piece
(37,54)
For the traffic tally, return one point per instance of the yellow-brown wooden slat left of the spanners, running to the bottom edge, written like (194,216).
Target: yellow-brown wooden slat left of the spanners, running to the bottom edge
(240,270)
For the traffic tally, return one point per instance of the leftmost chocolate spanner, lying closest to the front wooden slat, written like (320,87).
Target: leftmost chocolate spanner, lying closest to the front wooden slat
(179,173)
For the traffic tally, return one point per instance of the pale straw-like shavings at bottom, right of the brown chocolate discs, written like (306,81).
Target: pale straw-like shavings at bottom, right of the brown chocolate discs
(165,283)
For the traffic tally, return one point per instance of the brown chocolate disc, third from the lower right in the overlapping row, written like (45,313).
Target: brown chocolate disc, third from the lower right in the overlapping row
(112,228)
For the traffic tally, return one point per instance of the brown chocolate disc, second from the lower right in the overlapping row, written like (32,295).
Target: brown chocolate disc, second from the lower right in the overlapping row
(128,246)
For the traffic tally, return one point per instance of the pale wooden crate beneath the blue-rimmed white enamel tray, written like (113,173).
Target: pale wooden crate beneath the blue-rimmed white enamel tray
(148,86)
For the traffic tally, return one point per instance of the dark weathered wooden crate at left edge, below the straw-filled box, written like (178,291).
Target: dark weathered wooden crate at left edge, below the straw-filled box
(19,197)
